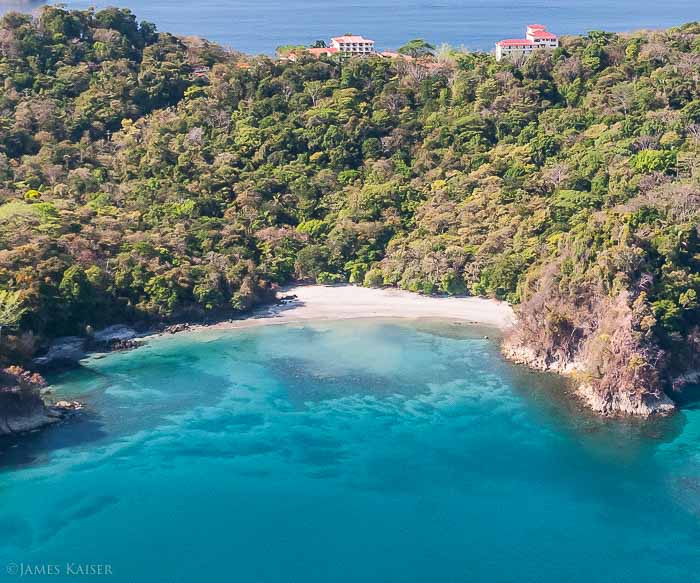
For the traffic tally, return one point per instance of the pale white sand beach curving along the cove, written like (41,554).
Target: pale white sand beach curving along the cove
(318,302)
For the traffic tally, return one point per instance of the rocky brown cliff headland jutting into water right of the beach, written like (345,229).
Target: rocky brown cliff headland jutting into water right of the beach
(616,367)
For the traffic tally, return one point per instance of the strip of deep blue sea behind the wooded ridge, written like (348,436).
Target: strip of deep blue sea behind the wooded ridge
(259,26)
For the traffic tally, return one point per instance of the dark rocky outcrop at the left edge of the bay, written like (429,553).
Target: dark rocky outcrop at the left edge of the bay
(22,407)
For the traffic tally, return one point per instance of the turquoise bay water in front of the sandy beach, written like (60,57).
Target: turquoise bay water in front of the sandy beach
(351,451)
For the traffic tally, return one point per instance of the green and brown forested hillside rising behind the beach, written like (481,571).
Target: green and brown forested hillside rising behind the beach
(131,188)
